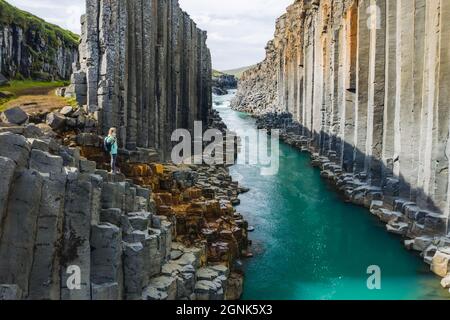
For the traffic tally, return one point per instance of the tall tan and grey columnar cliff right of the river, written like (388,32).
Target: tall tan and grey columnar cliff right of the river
(365,84)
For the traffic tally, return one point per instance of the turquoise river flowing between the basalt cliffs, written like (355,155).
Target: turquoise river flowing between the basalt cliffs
(308,244)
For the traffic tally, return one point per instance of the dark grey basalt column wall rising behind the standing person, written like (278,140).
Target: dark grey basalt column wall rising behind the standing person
(144,68)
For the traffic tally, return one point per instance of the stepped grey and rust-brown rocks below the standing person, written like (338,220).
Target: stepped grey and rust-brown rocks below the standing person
(154,232)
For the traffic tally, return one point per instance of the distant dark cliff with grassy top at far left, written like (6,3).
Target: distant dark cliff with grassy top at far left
(33,48)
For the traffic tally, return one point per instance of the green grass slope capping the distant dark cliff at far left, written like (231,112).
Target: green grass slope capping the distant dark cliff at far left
(11,15)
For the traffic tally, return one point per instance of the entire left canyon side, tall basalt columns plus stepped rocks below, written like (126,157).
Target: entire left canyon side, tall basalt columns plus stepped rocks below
(69,229)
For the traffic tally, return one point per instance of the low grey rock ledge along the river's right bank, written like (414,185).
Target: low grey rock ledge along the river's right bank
(421,230)
